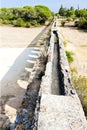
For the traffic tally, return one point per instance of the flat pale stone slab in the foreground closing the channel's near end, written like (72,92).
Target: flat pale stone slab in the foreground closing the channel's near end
(61,113)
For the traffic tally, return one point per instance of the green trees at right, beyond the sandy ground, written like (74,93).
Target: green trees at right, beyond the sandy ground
(71,13)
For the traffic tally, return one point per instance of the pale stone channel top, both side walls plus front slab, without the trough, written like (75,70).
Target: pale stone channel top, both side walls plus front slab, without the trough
(59,112)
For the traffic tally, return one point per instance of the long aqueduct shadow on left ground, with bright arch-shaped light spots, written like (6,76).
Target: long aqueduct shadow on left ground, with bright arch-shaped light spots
(14,83)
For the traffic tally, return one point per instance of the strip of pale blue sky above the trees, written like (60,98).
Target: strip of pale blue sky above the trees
(54,5)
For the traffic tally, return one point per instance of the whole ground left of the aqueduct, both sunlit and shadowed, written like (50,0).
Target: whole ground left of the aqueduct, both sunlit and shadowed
(16,62)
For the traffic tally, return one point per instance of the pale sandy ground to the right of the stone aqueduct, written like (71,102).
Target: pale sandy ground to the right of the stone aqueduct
(76,41)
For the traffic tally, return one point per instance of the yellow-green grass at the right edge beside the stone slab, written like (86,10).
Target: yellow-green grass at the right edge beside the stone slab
(80,84)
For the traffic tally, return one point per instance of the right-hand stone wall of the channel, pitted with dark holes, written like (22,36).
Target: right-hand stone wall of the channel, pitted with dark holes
(64,69)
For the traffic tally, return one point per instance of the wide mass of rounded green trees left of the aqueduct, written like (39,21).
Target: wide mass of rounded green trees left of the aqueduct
(25,16)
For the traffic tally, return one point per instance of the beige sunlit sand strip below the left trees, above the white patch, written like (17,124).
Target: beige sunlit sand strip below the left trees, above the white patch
(17,37)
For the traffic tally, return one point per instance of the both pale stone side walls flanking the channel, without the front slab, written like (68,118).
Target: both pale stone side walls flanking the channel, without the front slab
(64,66)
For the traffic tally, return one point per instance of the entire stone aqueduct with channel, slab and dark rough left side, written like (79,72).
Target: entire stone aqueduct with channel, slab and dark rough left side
(57,106)
